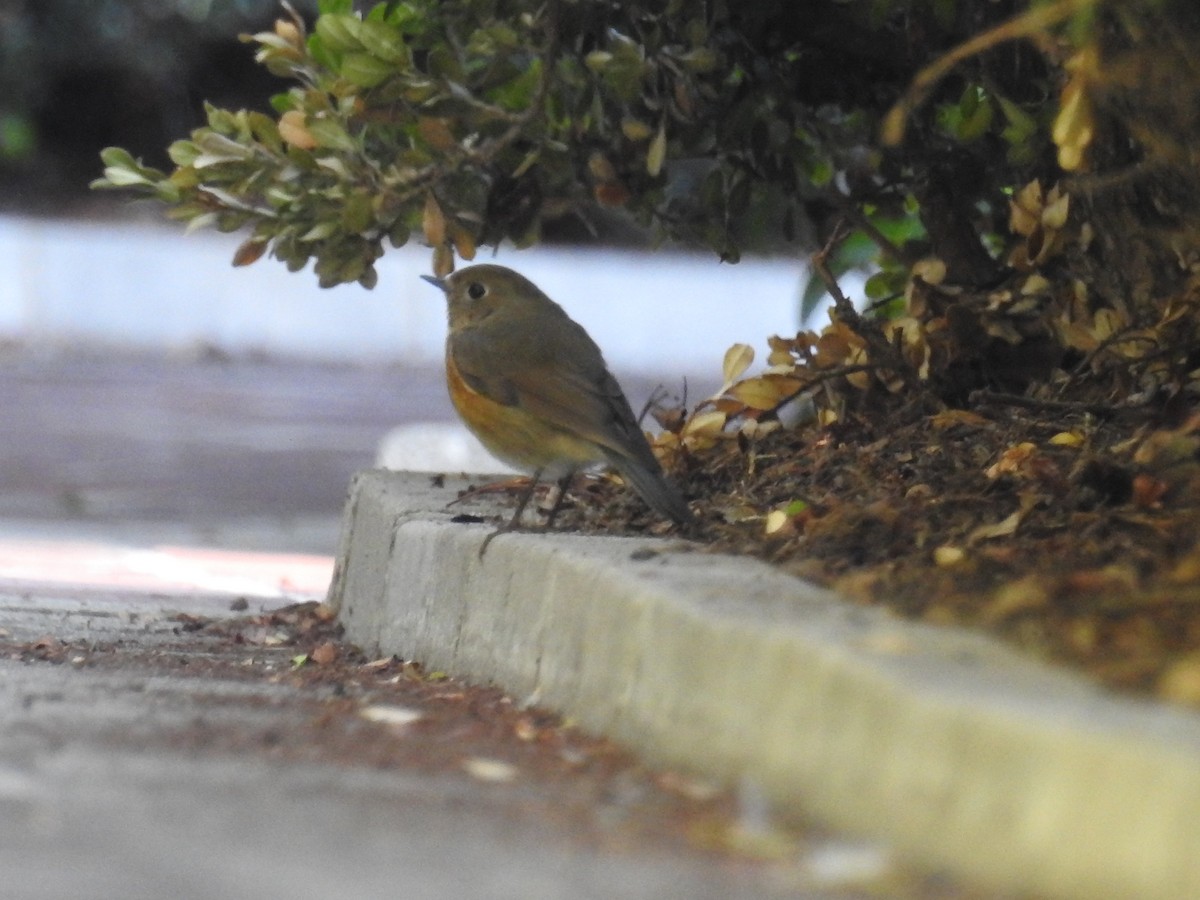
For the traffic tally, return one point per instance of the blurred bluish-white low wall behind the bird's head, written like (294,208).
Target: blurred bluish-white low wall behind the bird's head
(151,286)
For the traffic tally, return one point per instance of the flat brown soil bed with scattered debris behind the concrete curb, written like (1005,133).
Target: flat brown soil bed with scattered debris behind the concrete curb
(1073,537)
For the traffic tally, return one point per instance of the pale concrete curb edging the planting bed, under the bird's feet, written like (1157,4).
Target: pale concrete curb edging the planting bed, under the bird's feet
(956,751)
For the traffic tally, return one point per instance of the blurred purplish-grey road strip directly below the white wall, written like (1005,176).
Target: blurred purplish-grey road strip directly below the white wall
(101,439)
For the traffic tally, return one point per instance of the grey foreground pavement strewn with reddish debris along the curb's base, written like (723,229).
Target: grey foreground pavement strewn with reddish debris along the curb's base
(145,755)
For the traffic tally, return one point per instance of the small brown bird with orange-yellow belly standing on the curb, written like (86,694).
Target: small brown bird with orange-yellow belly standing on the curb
(533,387)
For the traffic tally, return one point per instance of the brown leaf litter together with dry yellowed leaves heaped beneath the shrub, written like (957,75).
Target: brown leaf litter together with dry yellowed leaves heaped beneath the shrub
(1022,460)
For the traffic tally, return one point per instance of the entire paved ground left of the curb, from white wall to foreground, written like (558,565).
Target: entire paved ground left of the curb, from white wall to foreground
(151,749)
